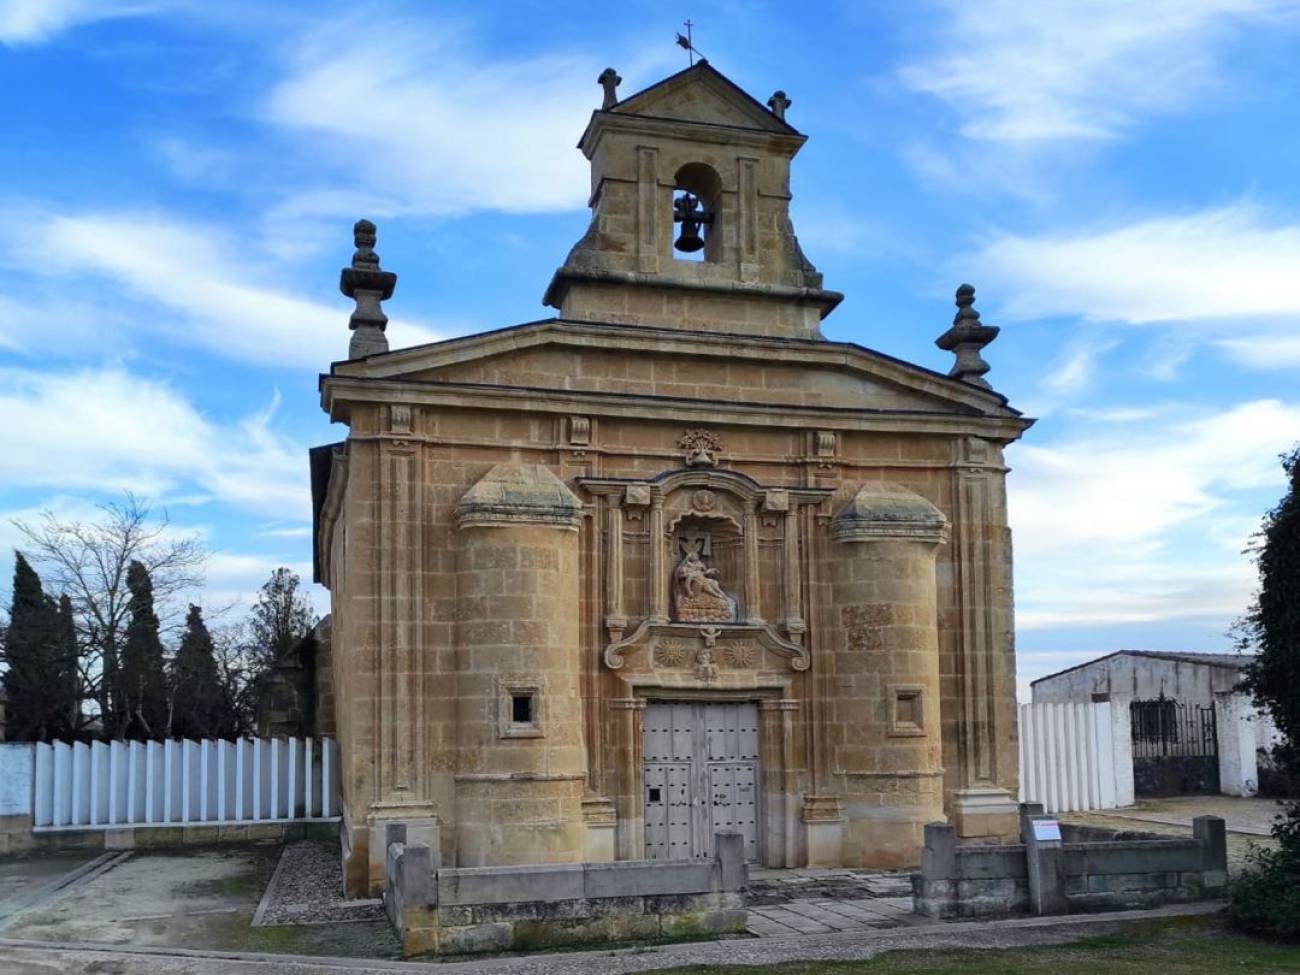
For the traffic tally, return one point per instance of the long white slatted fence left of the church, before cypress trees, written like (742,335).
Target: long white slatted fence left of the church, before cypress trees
(179,783)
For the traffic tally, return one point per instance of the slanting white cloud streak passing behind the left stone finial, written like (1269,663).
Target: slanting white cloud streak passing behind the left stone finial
(190,283)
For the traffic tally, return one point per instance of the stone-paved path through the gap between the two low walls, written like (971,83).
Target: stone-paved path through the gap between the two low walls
(791,903)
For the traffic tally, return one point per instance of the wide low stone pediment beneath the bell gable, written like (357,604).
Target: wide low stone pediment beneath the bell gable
(616,359)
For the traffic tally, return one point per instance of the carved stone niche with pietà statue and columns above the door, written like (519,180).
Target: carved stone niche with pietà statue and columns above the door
(691,588)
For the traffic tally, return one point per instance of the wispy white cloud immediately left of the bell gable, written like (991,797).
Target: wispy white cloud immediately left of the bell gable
(423,127)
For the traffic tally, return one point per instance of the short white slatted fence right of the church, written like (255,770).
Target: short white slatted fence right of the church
(1076,757)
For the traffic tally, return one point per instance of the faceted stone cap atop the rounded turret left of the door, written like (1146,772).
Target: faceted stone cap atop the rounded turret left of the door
(519,495)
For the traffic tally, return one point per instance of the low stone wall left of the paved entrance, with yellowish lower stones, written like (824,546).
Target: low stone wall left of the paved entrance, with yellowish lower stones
(489,909)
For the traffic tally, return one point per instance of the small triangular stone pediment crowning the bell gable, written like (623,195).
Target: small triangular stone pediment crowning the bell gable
(703,94)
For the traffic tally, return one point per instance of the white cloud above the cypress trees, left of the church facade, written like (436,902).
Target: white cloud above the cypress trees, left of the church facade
(109,431)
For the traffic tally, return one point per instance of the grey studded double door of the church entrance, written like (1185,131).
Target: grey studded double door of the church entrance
(700,775)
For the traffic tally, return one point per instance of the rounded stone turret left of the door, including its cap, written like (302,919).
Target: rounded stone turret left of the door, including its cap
(521,756)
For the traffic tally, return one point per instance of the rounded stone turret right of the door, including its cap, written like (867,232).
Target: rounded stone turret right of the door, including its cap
(883,682)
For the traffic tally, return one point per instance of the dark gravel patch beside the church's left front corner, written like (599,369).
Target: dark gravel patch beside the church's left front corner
(309,890)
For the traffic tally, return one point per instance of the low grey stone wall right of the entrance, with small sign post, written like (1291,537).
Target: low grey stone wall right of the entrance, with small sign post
(1061,877)
